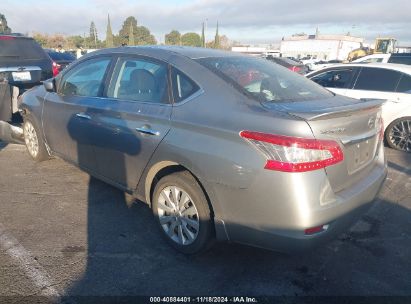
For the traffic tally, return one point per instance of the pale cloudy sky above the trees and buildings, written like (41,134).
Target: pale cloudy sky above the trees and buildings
(246,21)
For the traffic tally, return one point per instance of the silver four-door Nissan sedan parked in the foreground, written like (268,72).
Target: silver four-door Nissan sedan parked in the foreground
(220,145)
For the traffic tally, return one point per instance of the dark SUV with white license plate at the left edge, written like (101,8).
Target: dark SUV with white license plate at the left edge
(23,64)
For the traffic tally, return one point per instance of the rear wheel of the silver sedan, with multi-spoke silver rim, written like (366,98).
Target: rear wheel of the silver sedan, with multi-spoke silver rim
(183,213)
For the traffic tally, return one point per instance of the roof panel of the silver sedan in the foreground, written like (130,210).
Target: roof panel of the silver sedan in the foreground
(190,52)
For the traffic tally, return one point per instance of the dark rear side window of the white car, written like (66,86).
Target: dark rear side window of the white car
(375,79)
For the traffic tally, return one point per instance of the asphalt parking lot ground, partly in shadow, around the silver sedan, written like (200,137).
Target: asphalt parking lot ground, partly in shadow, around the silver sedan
(66,234)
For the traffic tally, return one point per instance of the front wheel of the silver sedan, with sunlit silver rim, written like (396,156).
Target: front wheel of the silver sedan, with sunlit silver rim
(34,141)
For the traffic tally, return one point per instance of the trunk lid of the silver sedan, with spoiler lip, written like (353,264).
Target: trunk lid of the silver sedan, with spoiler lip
(354,124)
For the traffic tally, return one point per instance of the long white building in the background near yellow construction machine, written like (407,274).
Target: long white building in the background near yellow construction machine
(321,47)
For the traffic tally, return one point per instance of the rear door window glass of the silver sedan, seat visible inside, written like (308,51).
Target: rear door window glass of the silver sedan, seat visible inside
(139,80)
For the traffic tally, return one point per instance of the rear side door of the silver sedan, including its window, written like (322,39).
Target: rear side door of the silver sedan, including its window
(132,119)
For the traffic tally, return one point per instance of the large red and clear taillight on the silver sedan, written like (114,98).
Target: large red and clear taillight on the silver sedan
(294,154)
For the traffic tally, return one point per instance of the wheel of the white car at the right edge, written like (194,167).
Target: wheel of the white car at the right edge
(398,134)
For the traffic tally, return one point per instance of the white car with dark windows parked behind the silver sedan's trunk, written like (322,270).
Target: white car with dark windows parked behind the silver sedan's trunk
(386,81)
